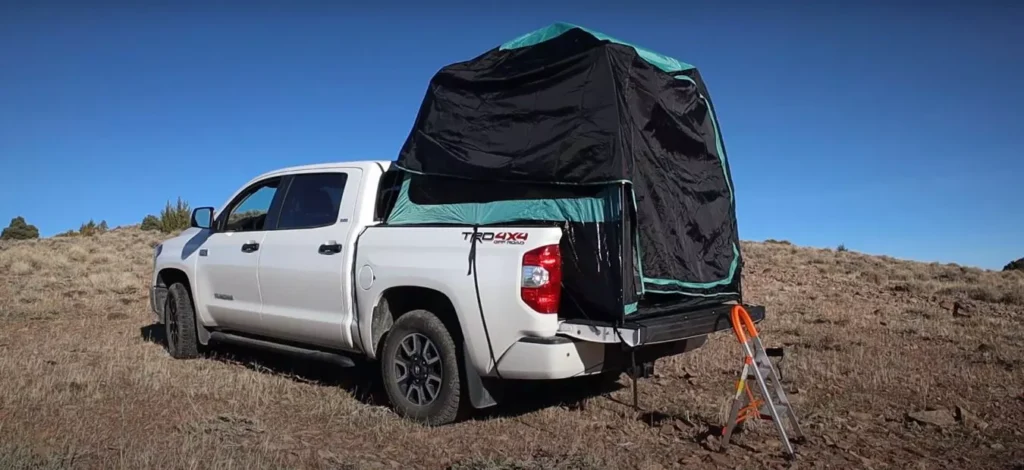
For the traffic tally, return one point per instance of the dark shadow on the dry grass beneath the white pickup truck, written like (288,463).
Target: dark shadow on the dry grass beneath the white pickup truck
(364,382)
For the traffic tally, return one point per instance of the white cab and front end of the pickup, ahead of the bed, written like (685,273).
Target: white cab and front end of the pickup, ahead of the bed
(272,262)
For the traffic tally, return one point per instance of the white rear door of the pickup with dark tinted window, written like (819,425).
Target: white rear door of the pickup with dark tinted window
(306,263)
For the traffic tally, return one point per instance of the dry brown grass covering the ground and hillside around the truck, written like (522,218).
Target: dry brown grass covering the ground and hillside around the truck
(87,383)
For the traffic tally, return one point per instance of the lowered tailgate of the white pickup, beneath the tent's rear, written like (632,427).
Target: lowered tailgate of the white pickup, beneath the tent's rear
(658,329)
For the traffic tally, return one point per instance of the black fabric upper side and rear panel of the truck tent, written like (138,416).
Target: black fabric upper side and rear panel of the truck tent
(566,106)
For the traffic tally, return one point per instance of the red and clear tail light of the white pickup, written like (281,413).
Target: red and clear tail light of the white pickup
(542,279)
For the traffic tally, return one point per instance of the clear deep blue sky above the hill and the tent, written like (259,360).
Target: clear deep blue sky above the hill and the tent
(891,130)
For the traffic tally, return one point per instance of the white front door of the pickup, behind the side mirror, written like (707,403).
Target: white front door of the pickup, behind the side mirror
(228,264)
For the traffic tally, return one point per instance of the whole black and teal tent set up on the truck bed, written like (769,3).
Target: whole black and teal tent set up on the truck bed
(615,143)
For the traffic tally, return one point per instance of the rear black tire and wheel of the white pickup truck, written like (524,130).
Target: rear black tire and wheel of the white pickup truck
(425,392)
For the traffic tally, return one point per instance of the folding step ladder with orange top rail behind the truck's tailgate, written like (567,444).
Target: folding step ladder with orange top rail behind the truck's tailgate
(758,366)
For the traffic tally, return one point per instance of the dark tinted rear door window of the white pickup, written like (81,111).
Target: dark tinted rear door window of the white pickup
(313,201)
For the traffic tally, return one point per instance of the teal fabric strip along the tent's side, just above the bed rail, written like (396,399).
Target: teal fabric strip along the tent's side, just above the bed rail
(599,209)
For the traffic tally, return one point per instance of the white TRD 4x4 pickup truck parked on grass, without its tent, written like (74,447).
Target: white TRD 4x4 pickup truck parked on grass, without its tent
(300,262)
